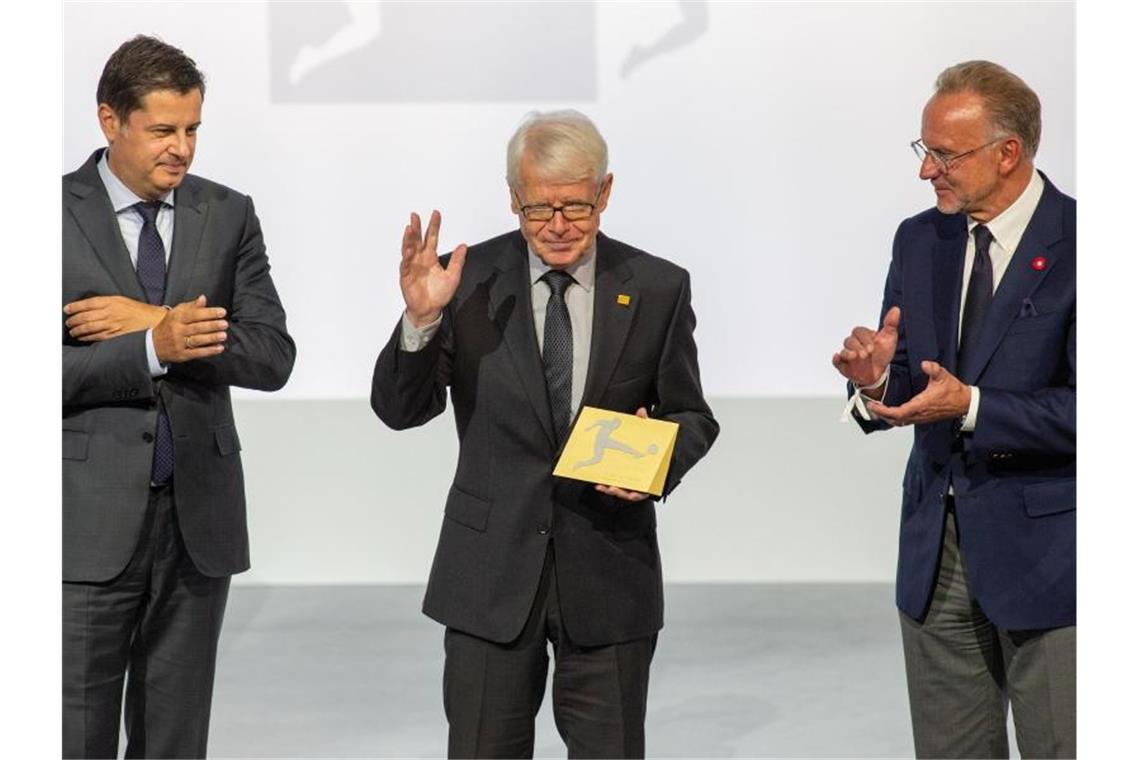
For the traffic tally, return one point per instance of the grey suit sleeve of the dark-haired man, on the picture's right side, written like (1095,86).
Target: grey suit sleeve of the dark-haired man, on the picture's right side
(259,352)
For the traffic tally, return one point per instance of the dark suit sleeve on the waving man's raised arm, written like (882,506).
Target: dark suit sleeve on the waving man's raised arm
(410,388)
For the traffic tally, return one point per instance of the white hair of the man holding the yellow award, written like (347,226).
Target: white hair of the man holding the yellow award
(565,145)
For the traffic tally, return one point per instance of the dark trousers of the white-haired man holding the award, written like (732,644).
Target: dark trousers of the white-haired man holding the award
(492,692)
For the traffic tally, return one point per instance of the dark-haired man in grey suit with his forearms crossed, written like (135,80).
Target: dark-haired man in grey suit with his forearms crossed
(168,304)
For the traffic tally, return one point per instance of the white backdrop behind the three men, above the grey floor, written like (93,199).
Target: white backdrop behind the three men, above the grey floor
(764,148)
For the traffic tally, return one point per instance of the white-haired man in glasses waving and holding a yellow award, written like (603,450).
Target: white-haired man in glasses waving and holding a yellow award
(523,331)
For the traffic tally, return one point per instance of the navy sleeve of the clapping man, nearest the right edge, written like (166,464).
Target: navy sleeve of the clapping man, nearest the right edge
(1036,423)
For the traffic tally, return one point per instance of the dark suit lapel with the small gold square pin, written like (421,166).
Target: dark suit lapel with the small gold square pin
(612,320)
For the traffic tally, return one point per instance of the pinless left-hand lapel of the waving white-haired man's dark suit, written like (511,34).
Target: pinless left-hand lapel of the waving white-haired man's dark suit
(512,312)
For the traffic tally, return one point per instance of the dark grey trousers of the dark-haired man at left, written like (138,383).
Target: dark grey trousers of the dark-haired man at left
(156,626)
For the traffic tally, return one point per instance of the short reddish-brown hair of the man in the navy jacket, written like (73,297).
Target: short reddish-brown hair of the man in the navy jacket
(1013,108)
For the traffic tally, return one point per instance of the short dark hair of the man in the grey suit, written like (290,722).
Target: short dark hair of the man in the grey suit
(141,67)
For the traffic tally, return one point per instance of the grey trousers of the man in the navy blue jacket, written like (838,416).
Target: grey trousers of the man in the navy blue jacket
(964,673)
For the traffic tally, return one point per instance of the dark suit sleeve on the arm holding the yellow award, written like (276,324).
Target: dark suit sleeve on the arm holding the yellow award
(680,395)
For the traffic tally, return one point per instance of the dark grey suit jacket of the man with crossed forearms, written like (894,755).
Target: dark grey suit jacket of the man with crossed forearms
(110,402)
